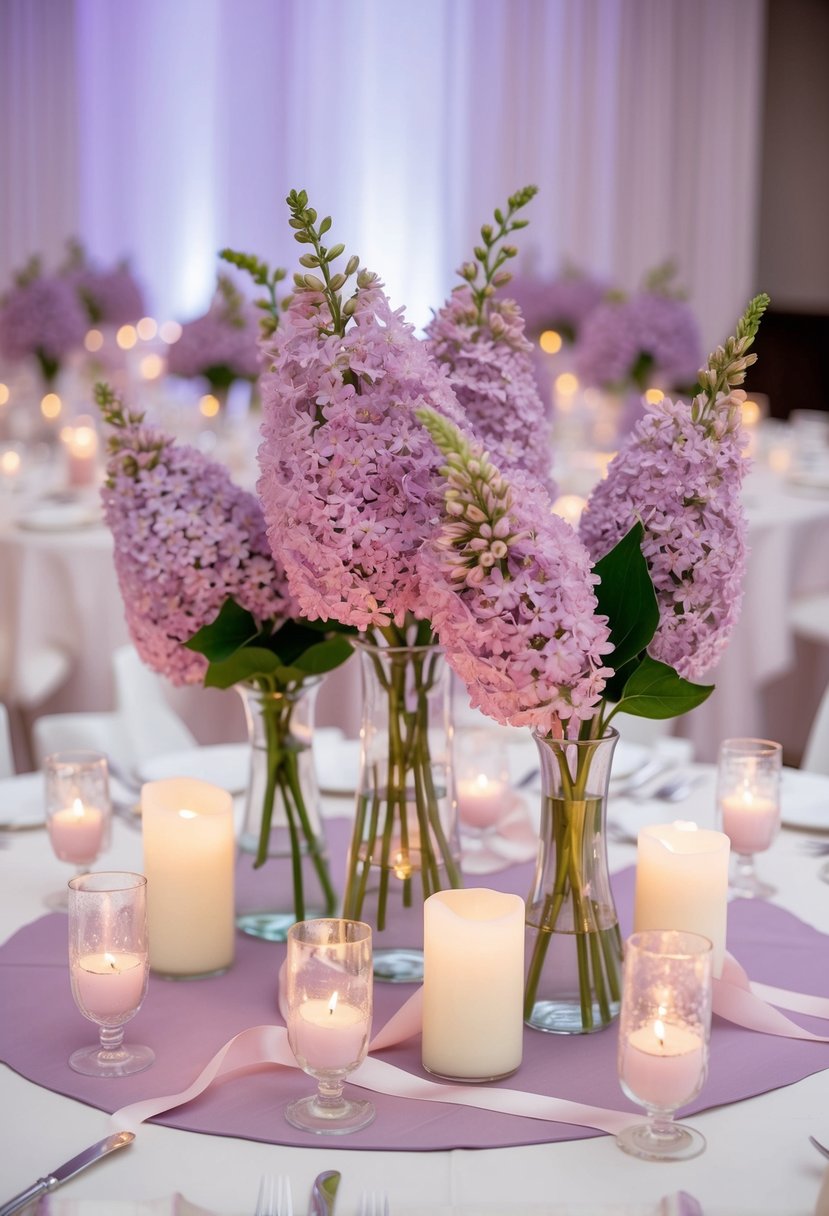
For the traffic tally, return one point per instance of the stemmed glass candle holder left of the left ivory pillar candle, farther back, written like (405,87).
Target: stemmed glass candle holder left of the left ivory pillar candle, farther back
(78,810)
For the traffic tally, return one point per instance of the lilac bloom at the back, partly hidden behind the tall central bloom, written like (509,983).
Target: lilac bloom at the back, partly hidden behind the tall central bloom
(490,369)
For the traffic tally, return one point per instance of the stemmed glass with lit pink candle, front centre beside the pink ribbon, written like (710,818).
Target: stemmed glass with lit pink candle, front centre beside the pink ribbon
(329,1011)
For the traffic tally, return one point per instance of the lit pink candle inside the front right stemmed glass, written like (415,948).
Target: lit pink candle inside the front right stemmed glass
(662,1065)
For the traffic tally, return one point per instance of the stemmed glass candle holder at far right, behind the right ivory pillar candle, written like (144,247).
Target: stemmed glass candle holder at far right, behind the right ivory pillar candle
(749,803)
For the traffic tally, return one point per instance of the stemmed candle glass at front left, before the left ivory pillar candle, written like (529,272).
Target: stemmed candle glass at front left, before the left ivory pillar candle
(109,967)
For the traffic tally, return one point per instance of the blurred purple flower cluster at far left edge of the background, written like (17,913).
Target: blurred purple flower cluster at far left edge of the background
(43,317)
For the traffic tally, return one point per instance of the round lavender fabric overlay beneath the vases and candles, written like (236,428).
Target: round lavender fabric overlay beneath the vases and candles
(187,1023)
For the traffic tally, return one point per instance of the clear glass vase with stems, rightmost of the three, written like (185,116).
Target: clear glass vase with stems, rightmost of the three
(574,948)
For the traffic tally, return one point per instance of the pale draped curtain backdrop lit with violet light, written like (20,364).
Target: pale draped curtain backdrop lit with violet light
(167,130)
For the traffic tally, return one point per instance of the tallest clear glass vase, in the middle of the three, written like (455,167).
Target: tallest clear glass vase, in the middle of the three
(405,842)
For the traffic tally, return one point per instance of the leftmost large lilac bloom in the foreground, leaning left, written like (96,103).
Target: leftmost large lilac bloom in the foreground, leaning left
(185,539)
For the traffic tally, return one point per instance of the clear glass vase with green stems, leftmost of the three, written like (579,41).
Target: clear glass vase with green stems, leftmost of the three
(283,825)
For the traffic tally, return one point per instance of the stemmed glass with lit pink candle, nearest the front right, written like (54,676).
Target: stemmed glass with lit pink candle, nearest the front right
(664,1032)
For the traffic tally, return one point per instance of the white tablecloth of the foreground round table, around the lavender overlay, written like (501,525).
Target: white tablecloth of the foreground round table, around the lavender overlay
(758,1159)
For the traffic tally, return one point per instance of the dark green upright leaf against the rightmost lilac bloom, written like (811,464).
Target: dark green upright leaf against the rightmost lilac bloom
(627,596)
